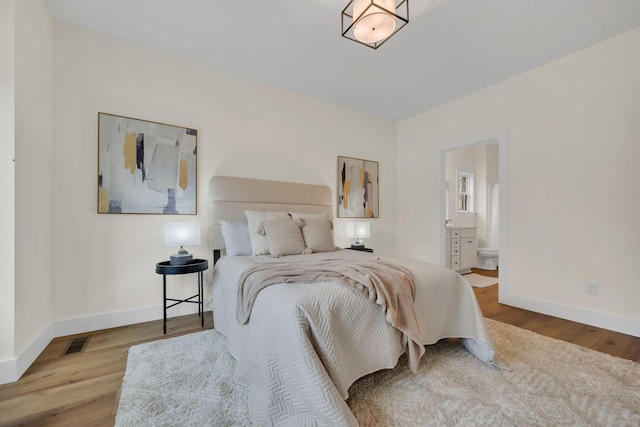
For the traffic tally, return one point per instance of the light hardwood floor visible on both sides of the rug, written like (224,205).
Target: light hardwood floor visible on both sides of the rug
(82,389)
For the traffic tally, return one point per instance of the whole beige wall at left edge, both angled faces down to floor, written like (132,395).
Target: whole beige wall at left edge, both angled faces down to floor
(26,208)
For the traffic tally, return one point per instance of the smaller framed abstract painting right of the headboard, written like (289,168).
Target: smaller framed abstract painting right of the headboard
(358,188)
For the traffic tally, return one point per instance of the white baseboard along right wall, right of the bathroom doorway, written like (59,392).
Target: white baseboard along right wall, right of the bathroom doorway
(623,325)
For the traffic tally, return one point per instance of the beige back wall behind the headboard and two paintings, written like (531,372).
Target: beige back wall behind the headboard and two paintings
(244,129)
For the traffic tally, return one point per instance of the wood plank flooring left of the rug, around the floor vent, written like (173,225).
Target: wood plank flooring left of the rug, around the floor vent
(82,389)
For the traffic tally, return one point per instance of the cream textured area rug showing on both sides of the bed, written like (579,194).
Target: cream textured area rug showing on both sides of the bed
(187,381)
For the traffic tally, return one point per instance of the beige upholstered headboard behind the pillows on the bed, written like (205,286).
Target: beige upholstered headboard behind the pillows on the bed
(230,196)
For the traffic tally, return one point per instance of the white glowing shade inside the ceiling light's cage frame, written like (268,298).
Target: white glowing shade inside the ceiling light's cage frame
(371,22)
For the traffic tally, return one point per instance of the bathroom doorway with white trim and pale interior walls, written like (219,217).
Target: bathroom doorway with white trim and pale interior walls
(480,161)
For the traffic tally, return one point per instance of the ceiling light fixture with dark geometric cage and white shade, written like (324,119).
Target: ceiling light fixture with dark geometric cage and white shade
(373,22)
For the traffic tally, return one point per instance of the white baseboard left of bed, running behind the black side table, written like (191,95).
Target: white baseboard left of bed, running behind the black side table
(12,369)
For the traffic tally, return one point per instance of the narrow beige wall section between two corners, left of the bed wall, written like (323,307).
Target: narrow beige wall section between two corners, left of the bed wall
(33,170)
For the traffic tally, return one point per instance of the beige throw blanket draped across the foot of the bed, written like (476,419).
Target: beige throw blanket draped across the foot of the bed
(391,286)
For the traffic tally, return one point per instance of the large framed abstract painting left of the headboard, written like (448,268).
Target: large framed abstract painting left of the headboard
(146,167)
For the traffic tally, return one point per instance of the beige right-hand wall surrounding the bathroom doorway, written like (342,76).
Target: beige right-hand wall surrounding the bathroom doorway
(573,150)
